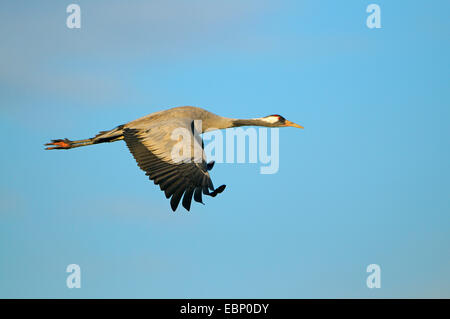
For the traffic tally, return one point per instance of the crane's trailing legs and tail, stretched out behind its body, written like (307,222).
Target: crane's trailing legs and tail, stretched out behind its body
(113,135)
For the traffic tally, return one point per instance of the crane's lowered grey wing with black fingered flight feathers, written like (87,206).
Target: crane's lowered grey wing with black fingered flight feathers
(153,148)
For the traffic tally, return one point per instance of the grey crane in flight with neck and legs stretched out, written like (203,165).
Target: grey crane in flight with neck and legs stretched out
(151,142)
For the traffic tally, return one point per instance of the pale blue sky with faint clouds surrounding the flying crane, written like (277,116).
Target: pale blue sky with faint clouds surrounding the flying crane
(366,182)
